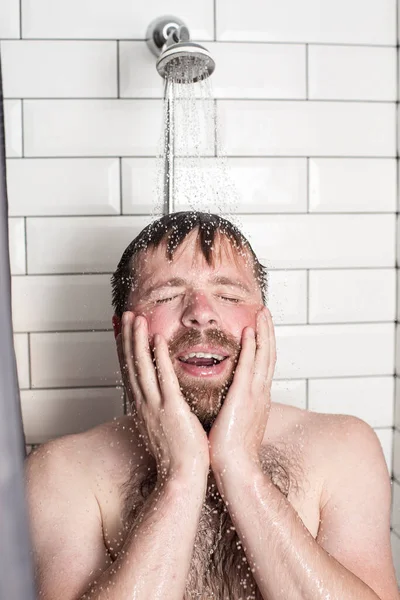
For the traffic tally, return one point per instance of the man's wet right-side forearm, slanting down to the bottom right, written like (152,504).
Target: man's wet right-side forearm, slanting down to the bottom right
(285,559)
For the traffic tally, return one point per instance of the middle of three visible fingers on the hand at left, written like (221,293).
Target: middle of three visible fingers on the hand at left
(144,367)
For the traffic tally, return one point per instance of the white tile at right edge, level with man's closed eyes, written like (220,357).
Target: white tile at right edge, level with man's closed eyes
(352,295)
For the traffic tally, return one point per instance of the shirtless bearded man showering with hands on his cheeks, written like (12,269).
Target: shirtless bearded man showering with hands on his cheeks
(206,489)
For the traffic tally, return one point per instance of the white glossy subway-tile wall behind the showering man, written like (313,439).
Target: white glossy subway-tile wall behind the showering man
(306,102)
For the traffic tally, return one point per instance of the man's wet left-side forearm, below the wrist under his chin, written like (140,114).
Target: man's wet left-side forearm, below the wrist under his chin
(155,559)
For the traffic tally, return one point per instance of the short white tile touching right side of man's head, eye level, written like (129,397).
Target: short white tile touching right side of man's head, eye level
(287,296)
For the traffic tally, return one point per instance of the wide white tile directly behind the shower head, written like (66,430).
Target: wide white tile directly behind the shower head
(237,73)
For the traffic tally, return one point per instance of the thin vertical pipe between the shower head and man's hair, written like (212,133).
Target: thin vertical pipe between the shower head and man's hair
(170,150)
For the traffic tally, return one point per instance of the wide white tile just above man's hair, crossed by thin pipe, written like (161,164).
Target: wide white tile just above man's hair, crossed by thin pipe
(261,184)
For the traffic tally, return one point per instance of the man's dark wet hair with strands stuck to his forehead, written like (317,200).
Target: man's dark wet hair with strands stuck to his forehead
(173,229)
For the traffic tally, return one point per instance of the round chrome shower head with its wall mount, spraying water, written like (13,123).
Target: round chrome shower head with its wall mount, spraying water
(180,60)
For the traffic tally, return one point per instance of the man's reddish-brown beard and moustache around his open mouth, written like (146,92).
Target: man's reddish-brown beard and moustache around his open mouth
(204,397)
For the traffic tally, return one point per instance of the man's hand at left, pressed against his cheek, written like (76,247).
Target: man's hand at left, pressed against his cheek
(171,431)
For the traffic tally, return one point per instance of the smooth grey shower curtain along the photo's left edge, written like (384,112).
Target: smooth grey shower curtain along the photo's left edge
(16,569)
